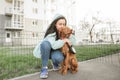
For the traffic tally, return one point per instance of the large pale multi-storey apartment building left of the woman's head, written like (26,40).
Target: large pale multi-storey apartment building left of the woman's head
(23,22)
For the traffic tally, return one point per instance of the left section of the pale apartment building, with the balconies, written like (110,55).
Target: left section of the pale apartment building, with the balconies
(12,21)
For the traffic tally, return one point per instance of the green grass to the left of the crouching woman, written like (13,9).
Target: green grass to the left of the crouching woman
(14,63)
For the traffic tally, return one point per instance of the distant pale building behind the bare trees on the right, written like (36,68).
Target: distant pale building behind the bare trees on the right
(107,33)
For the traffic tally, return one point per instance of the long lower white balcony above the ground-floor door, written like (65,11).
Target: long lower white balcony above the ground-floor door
(13,26)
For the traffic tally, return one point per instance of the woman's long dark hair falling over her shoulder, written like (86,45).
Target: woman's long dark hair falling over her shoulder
(52,28)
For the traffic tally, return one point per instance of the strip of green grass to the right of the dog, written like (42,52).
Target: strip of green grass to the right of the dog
(87,52)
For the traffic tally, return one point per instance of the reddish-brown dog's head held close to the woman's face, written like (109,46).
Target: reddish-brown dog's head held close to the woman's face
(65,32)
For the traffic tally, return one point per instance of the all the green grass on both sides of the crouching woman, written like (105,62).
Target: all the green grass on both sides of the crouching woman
(20,61)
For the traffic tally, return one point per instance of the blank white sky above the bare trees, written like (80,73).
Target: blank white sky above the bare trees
(107,8)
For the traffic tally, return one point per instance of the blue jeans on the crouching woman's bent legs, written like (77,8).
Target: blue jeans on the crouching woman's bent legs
(47,52)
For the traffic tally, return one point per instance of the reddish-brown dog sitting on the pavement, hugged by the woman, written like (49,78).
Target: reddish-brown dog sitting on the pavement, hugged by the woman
(70,61)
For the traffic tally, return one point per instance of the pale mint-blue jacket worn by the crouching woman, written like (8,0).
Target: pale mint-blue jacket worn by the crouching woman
(55,44)
